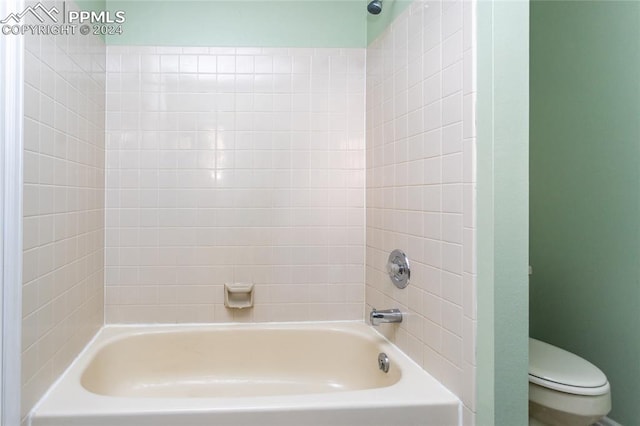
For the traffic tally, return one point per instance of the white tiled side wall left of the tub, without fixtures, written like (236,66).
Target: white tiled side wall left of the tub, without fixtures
(63,239)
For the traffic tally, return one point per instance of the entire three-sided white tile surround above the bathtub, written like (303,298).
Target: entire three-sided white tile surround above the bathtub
(251,165)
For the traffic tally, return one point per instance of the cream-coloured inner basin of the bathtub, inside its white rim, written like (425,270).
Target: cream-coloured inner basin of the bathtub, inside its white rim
(237,362)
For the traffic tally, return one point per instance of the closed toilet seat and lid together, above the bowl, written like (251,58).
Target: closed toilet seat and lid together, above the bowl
(557,369)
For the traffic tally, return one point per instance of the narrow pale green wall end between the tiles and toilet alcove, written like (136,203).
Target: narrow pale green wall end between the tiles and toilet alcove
(502,203)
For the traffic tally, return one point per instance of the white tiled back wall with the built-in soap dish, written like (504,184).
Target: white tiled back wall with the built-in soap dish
(234,165)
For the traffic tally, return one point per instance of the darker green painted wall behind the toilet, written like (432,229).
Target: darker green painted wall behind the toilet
(585,187)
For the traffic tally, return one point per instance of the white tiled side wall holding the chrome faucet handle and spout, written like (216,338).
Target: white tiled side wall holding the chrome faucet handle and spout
(420,160)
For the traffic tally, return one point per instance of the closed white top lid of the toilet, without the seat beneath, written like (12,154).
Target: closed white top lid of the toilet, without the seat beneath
(553,364)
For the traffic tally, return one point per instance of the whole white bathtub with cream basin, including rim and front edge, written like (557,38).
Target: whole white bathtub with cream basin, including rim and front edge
(323,374)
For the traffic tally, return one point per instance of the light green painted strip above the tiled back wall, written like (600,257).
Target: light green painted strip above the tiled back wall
(234,23)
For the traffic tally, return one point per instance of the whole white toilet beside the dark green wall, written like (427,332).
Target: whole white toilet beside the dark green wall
(564,389)
